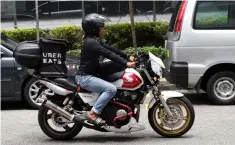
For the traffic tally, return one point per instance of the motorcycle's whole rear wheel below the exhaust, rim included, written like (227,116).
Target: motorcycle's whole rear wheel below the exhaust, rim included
(55,126)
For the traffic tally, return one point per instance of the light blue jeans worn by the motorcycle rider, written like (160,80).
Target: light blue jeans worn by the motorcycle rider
(94,84)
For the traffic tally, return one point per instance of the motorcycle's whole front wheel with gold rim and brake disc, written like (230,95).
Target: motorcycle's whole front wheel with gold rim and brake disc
(182,121)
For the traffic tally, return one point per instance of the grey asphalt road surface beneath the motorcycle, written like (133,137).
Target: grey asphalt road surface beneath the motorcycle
(214,125)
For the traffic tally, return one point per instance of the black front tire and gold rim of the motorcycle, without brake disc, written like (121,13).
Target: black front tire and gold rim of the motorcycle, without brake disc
(172,133)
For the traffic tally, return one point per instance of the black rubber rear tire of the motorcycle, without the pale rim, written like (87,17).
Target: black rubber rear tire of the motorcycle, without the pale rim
(68,134)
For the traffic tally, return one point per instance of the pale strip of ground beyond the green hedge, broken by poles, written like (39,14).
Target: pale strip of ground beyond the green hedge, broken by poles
(47,24)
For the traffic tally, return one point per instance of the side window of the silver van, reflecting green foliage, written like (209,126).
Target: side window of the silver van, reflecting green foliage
(214,15)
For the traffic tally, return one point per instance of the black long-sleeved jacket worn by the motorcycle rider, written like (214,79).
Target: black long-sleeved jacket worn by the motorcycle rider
(92,50)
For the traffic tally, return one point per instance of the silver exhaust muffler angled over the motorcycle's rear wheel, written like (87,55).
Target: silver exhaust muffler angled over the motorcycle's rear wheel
(58,110)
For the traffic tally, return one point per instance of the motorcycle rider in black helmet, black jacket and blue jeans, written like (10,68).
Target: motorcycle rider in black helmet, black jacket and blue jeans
(92,49)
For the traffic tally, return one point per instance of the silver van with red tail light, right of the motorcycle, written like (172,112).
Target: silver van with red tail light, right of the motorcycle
(201,48)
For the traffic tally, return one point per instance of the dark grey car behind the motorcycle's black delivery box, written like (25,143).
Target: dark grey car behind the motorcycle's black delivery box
(16,82)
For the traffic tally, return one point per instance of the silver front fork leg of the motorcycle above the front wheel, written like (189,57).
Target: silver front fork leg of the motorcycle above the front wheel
(157,95)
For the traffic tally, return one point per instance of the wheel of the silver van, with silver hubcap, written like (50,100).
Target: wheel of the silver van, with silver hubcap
(221,88)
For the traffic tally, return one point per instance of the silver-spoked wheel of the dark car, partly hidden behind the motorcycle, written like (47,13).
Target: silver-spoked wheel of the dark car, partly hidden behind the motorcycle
(30,92)
